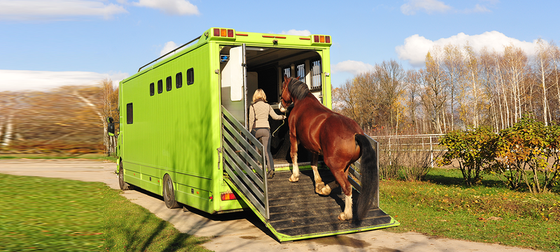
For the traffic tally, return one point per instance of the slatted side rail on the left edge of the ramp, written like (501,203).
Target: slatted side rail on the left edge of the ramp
(244,162)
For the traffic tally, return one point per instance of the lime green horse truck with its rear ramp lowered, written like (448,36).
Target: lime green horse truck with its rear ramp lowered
(183,132)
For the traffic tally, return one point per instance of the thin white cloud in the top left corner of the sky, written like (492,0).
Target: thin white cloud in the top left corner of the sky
(23,10)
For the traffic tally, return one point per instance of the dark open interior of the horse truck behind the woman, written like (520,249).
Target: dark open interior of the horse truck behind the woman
(265,69)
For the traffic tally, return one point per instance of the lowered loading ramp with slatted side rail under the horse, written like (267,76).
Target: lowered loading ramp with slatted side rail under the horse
(292,211)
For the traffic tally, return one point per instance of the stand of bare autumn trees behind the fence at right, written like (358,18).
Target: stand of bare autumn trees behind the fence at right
(487,87)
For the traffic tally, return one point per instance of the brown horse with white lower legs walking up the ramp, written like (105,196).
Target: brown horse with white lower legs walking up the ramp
(338,138)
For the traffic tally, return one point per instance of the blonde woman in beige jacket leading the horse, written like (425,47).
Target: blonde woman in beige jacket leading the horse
(258,121)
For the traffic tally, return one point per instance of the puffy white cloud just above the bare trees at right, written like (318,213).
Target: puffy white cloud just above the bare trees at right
(416,47)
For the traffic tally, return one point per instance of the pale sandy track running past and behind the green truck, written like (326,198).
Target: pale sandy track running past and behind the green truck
(240,232)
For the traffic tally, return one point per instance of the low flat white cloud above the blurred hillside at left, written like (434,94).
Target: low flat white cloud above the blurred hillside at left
(26,80)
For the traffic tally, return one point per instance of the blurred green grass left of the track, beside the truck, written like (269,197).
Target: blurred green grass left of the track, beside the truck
(64,215)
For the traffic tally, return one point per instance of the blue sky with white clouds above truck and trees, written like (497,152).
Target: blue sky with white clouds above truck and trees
(46,44)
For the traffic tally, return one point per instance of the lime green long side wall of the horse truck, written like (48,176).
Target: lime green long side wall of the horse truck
(175,132)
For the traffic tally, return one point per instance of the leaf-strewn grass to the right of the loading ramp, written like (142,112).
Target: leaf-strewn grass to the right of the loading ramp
(486,213)
